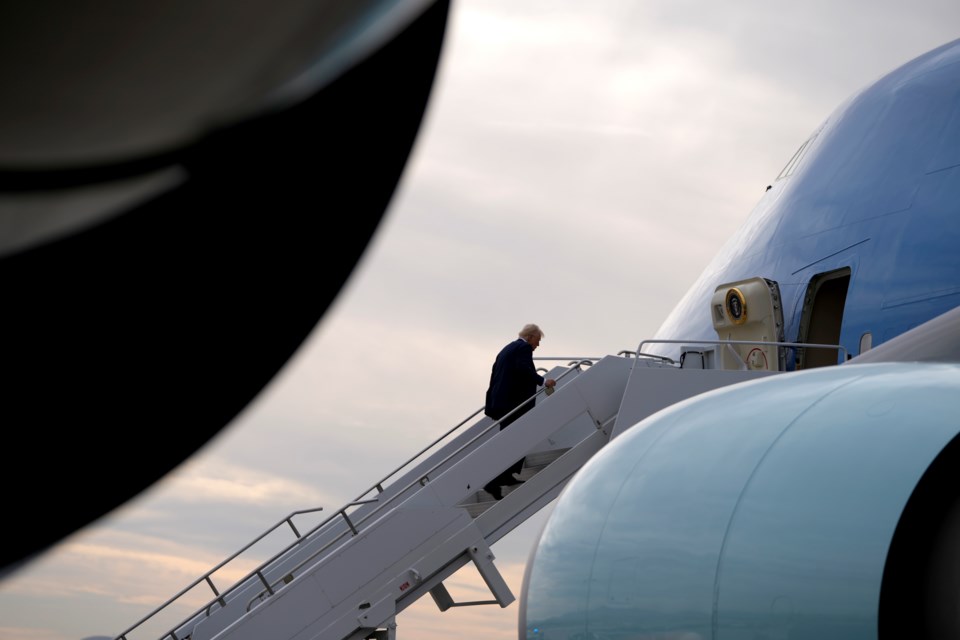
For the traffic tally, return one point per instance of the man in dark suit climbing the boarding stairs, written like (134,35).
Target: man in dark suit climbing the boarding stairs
(513,380)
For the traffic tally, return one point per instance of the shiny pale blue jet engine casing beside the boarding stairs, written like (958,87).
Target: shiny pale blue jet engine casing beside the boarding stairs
(815,504)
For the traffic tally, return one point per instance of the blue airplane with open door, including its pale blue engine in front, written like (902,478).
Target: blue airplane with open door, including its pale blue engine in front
(822,501)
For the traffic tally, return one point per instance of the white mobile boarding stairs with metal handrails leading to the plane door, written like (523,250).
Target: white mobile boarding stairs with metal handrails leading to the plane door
(350,576)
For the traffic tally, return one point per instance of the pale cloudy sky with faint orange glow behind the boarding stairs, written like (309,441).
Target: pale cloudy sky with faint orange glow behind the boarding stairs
(578,165)
